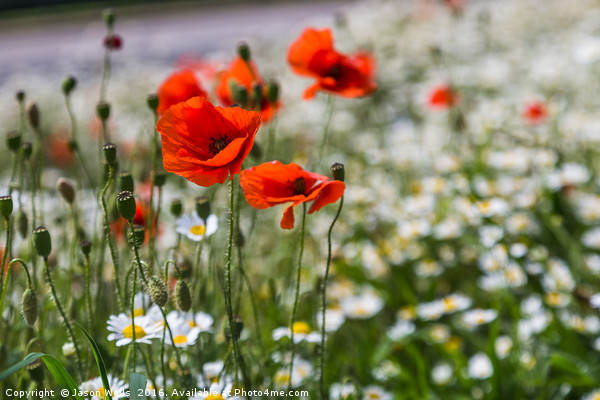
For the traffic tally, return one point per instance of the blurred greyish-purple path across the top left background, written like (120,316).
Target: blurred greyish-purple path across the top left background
(157,32)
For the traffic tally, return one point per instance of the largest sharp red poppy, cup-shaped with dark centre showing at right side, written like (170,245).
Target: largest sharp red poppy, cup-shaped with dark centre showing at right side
(204,143)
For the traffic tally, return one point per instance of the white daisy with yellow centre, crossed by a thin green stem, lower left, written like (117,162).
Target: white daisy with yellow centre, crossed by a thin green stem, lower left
(145,329)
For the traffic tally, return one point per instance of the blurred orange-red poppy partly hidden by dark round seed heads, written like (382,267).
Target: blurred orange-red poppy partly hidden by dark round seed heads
(244,74)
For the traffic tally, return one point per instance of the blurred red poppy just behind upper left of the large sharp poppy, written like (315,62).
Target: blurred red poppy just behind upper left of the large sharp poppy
(178,87)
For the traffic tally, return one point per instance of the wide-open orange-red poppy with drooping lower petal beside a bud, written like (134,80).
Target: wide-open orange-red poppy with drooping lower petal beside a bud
(274,183)
